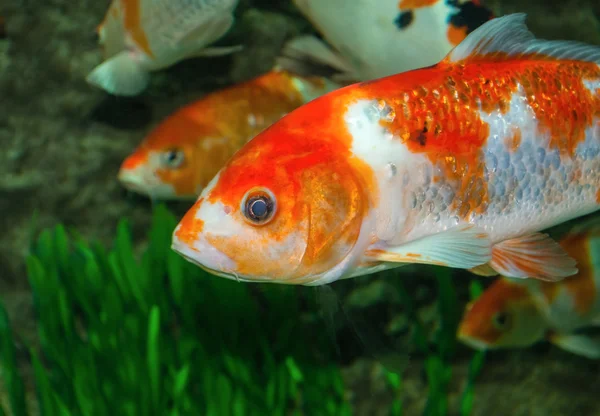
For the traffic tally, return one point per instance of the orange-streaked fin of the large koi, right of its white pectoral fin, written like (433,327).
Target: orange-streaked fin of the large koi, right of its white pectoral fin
(534,256)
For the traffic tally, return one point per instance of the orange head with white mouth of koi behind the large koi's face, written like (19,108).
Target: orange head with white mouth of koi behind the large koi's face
(176,160)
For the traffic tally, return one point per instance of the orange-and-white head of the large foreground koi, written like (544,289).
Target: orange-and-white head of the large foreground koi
(287,208)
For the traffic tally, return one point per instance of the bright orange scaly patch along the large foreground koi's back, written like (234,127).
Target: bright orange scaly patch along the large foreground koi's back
(437,112)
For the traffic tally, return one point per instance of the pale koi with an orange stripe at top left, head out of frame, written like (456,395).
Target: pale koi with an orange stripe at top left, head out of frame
(140,36)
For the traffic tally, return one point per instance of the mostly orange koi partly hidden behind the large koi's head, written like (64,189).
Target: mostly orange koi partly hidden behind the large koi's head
(183,153)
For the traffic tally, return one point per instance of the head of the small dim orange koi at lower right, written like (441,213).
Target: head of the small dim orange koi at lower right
(504,316)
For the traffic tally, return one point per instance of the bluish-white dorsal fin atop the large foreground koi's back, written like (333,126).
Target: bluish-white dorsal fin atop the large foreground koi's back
(508,37)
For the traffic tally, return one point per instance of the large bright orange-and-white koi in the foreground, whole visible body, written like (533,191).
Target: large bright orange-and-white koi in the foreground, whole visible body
(460,164)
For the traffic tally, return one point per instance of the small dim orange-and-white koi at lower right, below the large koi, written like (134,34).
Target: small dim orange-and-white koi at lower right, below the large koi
(519,313)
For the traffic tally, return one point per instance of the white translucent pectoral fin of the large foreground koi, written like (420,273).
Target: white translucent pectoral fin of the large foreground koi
(462,247)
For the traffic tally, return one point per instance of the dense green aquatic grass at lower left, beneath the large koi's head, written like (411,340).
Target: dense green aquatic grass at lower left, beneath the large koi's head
(155,335)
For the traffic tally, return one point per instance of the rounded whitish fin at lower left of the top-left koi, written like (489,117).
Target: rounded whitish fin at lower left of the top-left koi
(120,75)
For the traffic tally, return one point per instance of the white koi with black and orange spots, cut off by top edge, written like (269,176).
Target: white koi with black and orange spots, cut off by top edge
(377,38)
